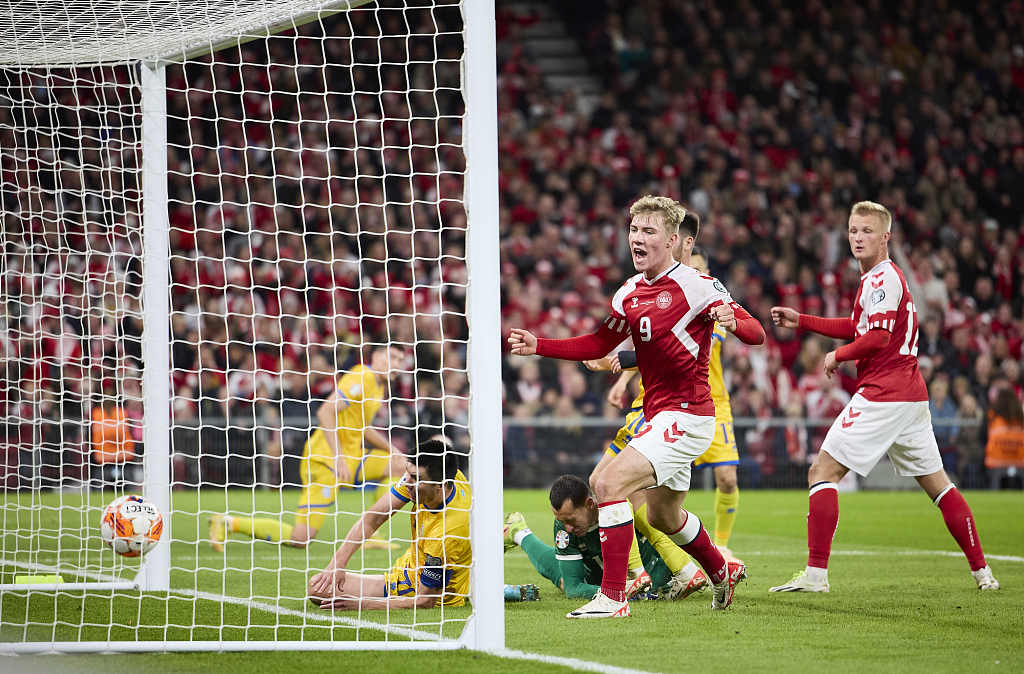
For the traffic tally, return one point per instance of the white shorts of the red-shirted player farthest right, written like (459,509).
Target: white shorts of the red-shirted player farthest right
(867,431)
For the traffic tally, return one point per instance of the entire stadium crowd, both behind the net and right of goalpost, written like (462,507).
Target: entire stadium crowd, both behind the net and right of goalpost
(769,121)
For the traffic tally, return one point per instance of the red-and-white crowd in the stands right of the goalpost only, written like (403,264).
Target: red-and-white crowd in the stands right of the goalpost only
(771,120)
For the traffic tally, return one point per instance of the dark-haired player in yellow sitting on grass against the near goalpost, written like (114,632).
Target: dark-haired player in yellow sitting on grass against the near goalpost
(436,568)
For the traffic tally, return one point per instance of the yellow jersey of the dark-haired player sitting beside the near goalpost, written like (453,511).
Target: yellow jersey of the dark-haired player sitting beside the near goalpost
(440,555)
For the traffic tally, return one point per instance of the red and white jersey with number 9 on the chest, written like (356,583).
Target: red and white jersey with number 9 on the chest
(670,322)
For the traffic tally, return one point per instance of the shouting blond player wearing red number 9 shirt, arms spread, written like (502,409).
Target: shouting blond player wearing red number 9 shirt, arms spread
(670,310)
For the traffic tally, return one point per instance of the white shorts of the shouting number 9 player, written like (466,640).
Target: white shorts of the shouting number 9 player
(672,441)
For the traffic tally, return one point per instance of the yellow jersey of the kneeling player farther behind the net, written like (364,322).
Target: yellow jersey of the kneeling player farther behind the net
(361,391)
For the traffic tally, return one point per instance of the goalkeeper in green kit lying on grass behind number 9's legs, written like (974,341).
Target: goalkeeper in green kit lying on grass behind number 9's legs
(575,565)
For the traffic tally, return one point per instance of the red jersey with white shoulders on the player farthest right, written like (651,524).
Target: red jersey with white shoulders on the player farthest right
(884,302)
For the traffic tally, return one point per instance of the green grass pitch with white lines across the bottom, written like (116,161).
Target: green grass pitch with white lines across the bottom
(893,606)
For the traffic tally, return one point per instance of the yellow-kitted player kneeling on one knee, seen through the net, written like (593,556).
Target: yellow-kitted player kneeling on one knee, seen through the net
(344,452)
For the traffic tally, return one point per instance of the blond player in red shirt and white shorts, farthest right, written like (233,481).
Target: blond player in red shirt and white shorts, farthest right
(889,412)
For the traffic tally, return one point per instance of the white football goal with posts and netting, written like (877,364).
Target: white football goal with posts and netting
(231,233)
